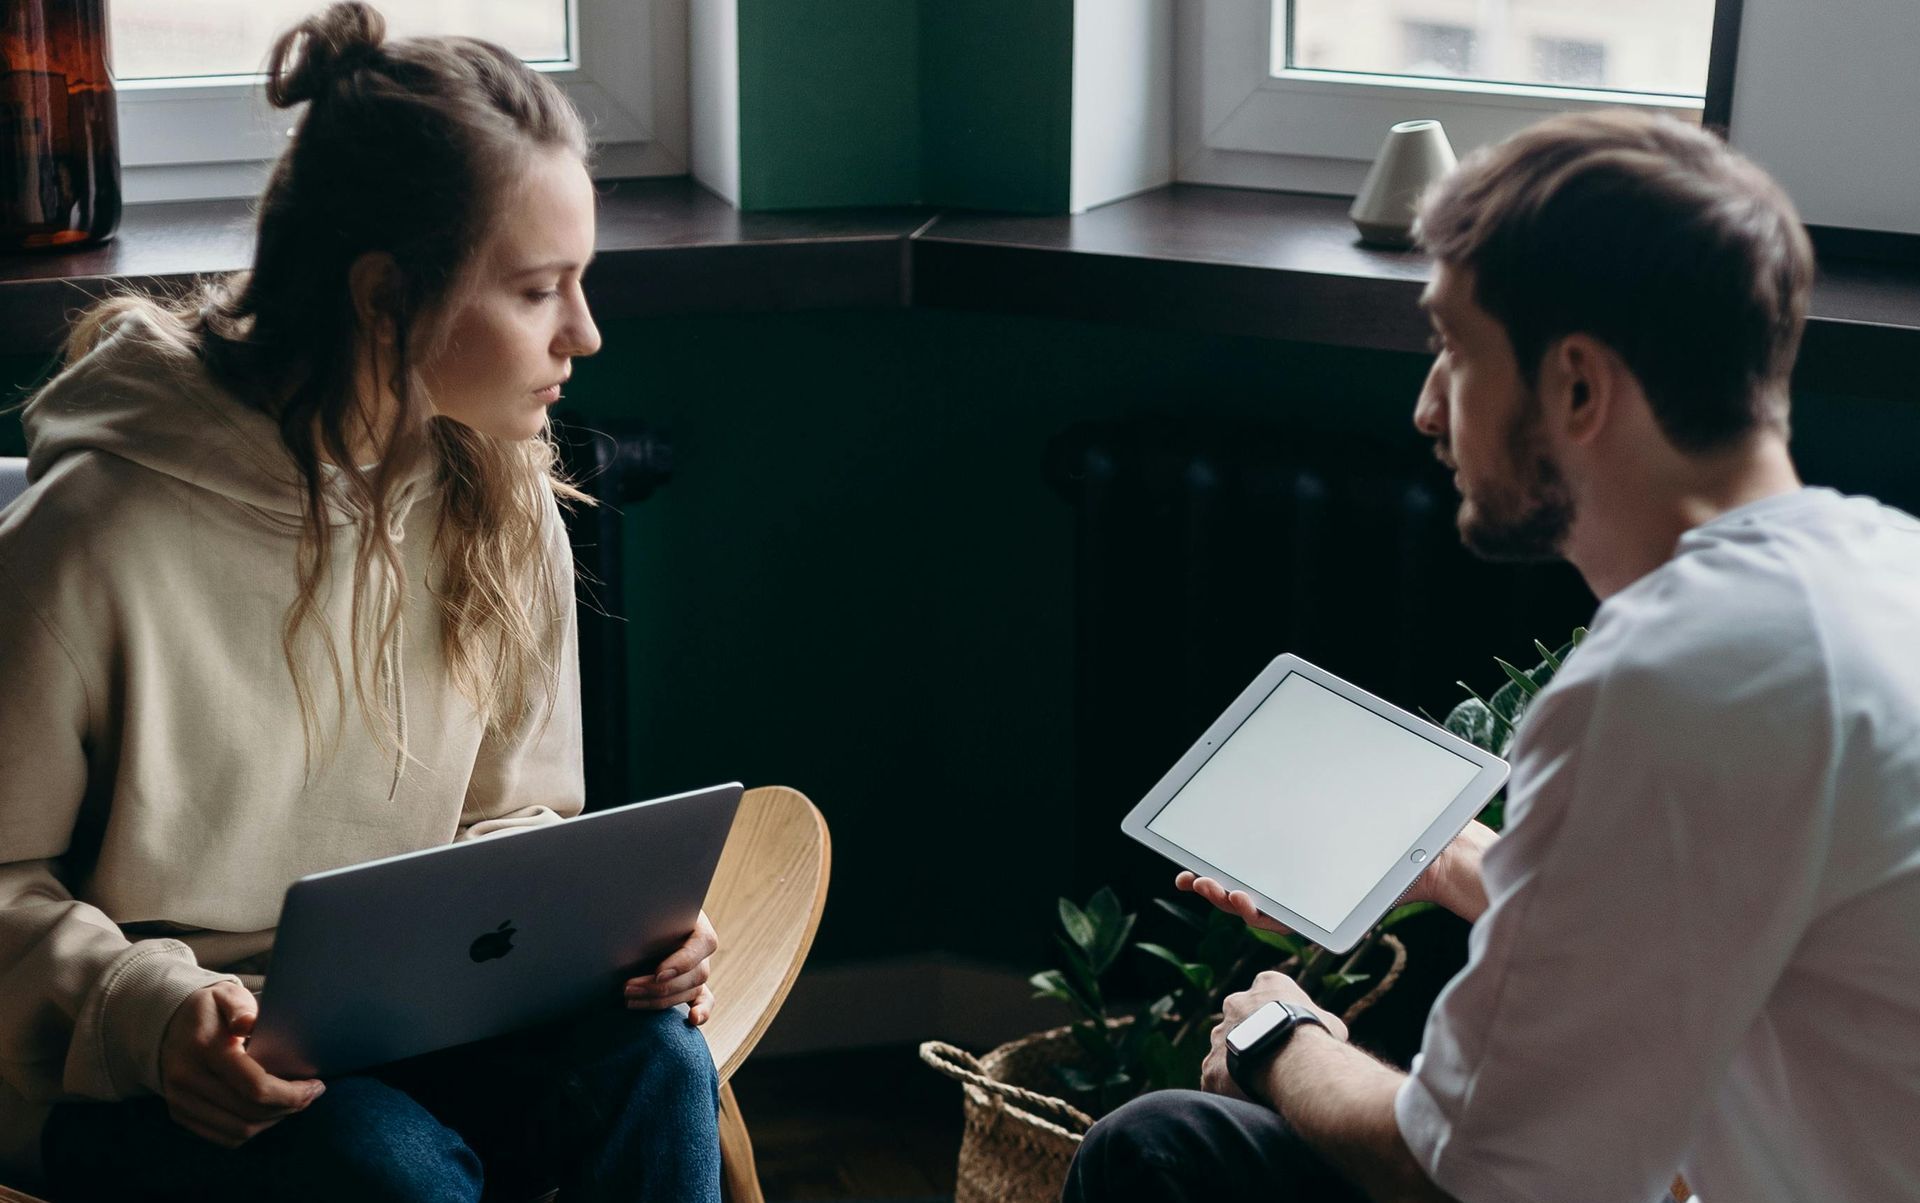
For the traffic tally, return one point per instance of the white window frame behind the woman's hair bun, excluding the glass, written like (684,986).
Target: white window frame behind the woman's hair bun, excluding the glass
(201,139)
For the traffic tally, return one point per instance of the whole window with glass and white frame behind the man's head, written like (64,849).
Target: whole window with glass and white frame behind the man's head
(1299,93)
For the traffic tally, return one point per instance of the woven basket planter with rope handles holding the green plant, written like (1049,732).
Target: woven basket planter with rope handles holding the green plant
(1020,1139)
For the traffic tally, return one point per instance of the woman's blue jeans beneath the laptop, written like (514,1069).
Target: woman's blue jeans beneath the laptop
(606,1106)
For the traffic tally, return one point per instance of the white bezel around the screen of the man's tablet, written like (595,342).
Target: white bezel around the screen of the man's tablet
(1439,834)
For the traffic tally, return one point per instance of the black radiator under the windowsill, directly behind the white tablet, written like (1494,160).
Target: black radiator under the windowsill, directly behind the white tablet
(1203,550)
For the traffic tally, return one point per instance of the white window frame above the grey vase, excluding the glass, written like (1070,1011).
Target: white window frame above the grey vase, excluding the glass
(1318,131)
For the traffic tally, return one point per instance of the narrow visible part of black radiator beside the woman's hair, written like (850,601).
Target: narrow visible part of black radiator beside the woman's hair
(617,463)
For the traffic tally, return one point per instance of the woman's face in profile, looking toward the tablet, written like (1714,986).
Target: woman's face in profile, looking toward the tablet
(521,323)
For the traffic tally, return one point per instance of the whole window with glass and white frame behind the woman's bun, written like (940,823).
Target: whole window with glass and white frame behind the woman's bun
(195,122)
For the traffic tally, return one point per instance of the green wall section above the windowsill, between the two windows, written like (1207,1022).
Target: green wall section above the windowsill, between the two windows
(898,103)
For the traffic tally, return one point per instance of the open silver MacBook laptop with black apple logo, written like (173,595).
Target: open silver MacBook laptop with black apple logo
(433,949)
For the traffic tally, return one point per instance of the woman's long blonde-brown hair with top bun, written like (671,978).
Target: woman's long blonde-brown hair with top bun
(406,149)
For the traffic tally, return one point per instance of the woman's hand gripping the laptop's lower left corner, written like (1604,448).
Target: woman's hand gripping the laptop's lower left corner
(212,1087)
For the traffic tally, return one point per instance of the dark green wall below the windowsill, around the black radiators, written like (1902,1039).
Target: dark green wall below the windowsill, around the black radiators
(857,584)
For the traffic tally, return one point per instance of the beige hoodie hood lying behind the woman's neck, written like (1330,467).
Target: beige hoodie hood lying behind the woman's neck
(143,396)
